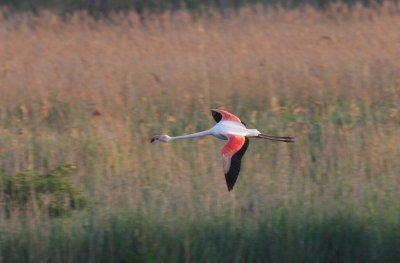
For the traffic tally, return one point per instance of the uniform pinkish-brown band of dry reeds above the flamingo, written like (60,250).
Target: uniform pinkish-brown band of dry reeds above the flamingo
(113,63)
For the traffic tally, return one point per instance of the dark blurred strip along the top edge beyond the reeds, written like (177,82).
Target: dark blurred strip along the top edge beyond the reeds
(105,7)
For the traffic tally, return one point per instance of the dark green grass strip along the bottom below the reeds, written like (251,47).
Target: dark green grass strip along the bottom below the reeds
(284,237)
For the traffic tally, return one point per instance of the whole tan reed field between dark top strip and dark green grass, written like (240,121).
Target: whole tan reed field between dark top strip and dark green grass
(91,93)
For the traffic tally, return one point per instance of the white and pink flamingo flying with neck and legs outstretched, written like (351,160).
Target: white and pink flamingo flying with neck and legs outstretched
(228,127)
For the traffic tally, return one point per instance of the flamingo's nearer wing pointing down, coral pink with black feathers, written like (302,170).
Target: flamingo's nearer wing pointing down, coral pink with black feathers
(232,154)
